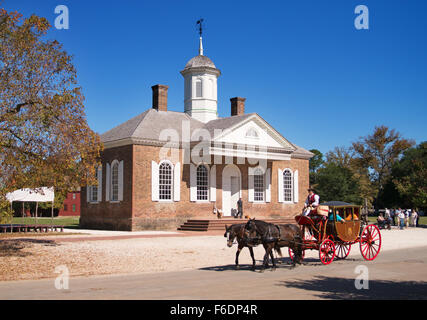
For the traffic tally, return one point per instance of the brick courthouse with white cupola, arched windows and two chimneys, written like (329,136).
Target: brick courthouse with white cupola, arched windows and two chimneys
(163,167)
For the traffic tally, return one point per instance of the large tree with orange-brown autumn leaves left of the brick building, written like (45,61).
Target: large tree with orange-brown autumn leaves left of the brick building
(44,136)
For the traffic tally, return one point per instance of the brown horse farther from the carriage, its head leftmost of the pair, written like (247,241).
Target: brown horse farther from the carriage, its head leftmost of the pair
(244,239)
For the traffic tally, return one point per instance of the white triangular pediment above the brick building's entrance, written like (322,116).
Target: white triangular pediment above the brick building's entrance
(254,131)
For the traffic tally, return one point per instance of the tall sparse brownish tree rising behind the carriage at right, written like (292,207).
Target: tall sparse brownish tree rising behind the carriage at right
(376,154)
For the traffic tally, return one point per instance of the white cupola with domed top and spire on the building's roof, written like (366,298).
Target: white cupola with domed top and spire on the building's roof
(200,87)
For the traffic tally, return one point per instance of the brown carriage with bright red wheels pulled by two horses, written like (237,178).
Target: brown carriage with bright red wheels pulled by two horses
(334,229)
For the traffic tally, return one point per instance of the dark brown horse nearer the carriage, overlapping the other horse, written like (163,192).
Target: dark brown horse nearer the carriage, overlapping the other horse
(277,236)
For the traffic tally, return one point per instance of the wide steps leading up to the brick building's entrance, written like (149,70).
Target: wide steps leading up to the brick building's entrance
(219,224)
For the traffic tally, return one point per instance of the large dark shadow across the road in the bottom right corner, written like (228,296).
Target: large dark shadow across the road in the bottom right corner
(341,288)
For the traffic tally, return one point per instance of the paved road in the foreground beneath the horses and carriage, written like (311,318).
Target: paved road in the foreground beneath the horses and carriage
(397,274)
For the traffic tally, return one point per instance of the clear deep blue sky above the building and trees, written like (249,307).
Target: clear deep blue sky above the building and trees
(302,65)
